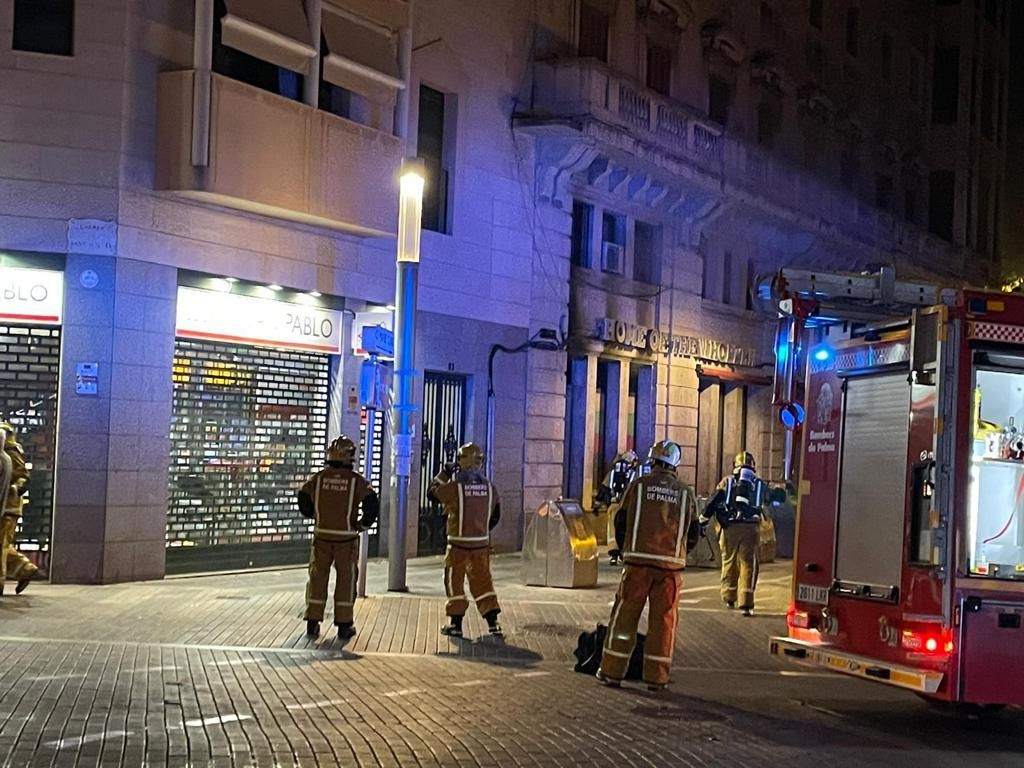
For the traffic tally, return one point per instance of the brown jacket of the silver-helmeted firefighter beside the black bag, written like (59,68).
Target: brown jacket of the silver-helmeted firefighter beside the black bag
(654,526)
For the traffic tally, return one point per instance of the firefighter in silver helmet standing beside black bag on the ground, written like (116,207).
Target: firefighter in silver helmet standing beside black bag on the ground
(653,530)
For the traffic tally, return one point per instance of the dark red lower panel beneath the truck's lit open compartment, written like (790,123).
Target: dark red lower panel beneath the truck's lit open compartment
(992,638)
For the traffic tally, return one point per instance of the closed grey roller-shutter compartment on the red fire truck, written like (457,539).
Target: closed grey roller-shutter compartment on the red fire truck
(873,484)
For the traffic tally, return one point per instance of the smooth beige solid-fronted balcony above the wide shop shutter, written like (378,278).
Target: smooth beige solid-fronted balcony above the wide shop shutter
(275,157)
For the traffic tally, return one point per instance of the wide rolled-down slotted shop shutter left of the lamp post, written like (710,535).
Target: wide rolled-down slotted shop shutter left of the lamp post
(249,428)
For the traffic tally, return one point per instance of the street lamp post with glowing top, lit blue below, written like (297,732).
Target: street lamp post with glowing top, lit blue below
(410,212)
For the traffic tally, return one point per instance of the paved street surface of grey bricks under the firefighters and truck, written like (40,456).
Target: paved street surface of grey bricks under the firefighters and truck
(216,671)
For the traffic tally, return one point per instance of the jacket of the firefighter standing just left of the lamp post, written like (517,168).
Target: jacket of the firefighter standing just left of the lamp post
(332,498)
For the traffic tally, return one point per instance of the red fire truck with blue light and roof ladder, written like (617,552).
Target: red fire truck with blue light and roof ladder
(909,568)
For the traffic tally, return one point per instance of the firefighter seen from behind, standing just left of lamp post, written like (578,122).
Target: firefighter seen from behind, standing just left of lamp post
(332,498)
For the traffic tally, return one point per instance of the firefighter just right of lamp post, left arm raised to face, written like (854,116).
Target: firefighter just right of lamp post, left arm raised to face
(474,510)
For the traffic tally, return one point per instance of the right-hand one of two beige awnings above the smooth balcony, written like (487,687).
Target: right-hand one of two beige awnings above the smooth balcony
(361,58)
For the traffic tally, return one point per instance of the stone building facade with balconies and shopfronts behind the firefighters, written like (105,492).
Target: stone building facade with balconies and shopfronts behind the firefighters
(198,217)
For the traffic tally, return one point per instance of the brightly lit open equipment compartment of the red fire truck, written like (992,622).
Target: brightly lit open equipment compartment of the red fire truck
(996,536)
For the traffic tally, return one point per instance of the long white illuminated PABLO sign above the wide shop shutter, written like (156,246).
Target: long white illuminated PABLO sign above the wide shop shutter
(247,320)
